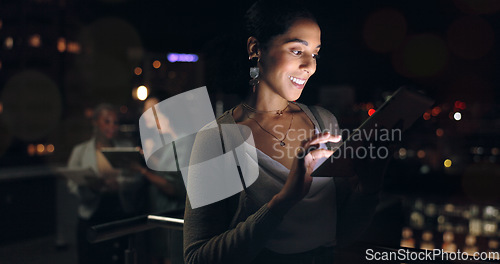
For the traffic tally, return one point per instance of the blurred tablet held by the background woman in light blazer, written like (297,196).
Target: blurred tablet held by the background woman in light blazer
(123,157)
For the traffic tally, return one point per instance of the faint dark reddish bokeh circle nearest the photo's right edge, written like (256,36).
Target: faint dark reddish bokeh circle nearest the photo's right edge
(470,37)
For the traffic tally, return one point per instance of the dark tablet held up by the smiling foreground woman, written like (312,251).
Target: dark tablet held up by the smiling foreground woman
(388,123)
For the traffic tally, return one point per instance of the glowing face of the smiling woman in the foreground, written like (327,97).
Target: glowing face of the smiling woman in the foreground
(290,59)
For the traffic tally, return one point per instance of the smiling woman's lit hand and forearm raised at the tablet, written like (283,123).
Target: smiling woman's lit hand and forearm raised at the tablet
(299,179)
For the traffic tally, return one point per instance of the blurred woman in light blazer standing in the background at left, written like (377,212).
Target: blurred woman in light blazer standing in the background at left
(106,197)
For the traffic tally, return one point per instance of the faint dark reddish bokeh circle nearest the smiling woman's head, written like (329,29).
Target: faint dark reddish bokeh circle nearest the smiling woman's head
(384,30)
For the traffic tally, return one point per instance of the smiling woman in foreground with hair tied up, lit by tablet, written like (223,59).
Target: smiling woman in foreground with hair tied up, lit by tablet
(286,216)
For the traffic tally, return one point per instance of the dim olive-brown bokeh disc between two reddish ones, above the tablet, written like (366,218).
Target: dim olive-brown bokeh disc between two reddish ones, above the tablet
(423,55)
